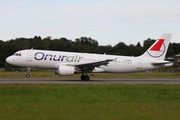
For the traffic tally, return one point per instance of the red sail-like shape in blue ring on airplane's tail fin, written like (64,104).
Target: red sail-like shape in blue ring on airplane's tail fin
(158,49)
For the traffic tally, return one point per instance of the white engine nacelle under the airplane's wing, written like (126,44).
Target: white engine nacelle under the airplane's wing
(64,70)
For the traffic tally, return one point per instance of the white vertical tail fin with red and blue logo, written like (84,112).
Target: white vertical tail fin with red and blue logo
(159,49)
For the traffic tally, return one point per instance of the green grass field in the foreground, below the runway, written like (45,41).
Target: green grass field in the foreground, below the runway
(90,102)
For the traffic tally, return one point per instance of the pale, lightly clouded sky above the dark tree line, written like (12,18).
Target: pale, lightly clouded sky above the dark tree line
(107,21)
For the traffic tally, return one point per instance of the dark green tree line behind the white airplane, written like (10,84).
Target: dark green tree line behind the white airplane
(83,44)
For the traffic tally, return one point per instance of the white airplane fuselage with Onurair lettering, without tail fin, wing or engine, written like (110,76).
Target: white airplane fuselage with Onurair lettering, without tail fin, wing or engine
(51,60)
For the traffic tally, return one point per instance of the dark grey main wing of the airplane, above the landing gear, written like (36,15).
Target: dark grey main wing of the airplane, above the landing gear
(89,67)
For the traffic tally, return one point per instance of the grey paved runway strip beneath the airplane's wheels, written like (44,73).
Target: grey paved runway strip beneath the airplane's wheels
(92,81)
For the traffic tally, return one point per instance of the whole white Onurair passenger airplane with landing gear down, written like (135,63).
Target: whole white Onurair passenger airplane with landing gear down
(69,63)
